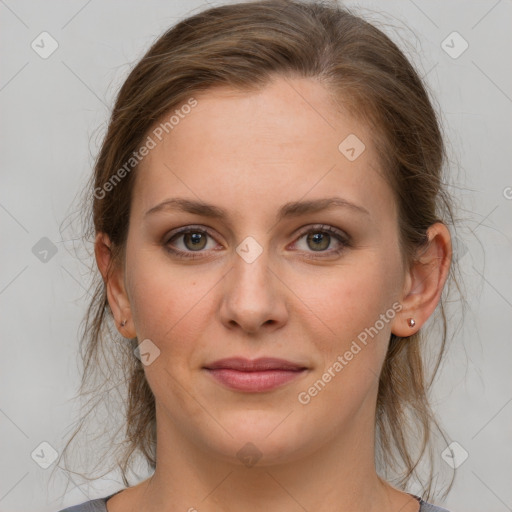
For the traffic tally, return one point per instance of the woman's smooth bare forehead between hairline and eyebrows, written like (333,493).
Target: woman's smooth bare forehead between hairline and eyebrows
(268,146)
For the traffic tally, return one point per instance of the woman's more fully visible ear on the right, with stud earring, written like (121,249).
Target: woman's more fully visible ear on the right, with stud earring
(424,281)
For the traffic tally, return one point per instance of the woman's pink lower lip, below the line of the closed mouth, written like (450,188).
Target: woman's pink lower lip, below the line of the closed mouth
(254,381)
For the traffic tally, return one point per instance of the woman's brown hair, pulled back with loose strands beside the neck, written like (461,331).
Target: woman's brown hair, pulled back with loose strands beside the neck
(244,46)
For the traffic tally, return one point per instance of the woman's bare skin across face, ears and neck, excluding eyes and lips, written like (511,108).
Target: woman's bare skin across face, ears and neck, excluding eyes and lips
(250,153)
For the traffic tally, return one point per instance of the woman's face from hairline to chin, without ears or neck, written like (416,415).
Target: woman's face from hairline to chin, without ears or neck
(303,286)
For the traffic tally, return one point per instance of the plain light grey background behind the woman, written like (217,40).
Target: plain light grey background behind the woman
(54,111)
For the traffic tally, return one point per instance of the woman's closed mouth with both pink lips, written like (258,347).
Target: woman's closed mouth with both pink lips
(254,376)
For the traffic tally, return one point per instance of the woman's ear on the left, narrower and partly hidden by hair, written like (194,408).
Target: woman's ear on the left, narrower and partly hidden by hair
(114,283)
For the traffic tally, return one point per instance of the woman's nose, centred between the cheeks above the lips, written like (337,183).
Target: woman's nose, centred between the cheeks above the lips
(253,297)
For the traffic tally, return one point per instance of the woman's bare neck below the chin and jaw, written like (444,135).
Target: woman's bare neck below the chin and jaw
(338,474)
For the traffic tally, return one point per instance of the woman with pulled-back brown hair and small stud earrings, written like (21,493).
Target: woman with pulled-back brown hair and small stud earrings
(271,232)
